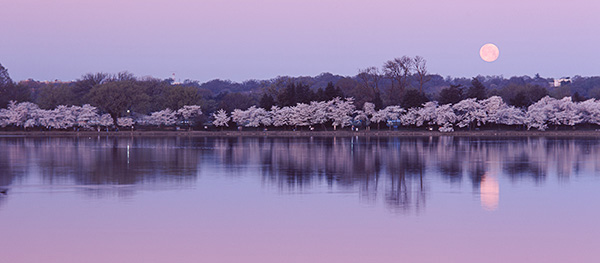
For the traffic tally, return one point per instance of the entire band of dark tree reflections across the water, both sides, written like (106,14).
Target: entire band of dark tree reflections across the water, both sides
(398,171)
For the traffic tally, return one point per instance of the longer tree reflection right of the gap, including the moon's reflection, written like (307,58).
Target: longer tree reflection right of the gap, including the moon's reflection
(397,170)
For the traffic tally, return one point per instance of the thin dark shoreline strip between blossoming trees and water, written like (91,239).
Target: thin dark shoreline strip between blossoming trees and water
(344,133)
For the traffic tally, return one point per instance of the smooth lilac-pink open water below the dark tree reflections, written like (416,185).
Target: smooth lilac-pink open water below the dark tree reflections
(228,212)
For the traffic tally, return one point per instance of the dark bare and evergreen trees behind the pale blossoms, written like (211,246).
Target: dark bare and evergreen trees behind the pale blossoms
(401,82)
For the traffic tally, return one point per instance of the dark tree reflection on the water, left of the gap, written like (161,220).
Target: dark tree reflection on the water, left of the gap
(99,166)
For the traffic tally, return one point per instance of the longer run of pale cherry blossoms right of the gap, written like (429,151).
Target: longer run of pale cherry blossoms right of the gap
(466,113)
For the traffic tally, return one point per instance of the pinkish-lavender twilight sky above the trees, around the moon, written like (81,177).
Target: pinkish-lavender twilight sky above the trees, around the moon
(261,39)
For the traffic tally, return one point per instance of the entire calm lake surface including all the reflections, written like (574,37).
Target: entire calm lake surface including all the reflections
(299,199)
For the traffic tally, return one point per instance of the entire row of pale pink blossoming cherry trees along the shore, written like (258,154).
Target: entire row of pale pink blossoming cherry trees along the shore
(466,114)
